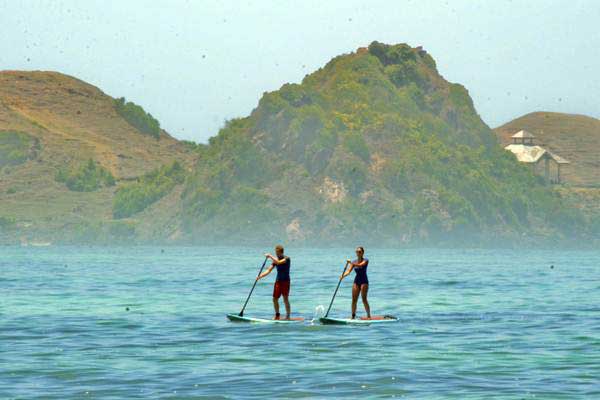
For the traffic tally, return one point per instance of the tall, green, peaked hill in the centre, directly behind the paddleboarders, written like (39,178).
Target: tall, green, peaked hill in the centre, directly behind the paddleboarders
(374,147)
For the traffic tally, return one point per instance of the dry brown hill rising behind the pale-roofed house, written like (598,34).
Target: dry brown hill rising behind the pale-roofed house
(574,137)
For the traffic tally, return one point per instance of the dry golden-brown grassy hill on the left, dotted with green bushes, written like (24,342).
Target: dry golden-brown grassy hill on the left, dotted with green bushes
(65,149)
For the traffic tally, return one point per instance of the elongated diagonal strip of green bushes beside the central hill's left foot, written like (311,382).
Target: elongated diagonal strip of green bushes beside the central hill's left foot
(135,197)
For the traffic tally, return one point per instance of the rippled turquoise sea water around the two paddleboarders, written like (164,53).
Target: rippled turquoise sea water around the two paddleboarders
(473,324)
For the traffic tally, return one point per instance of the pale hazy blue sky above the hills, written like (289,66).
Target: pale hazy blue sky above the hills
(195,64)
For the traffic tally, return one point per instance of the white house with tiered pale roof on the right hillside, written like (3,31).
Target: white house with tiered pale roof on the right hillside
(542,161)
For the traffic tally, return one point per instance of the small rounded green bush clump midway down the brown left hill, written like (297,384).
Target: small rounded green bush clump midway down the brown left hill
(85,178)
